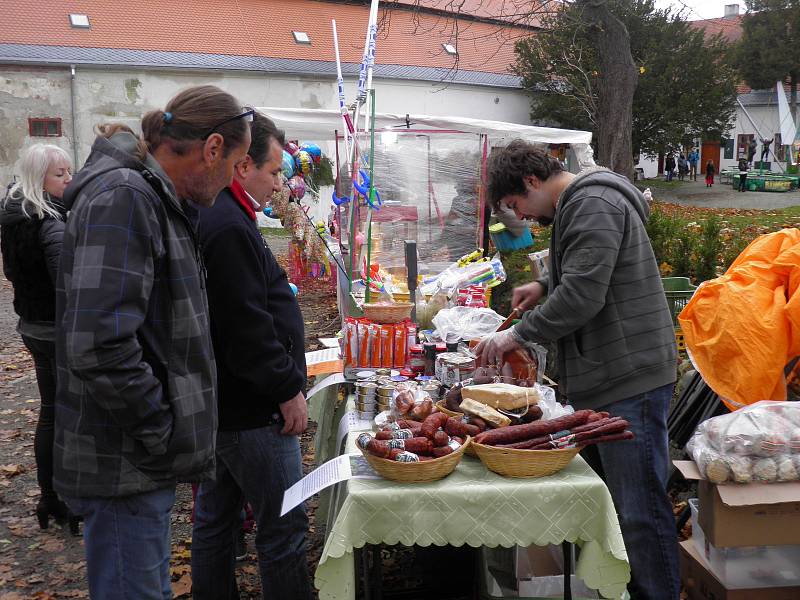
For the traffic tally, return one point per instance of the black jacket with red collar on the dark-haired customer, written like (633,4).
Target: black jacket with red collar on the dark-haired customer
(256,323)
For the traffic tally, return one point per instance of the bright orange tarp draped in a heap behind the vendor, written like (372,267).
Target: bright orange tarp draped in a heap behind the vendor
(744,327)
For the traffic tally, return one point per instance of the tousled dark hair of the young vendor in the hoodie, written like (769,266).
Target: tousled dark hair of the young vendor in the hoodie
(508,166)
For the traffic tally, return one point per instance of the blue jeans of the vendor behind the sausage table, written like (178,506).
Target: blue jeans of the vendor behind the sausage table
(636,475)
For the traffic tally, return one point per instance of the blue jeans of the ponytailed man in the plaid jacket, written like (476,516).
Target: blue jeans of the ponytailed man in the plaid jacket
(127,544)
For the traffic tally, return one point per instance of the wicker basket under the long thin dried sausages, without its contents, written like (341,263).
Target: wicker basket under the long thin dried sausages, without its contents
(511,462)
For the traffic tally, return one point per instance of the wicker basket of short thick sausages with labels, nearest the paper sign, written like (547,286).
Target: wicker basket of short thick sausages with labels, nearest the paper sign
(413,452)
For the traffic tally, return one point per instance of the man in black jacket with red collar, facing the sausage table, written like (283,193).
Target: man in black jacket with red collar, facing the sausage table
(258,335)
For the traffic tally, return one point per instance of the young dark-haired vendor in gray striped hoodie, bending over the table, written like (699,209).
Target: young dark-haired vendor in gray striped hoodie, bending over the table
(607,312)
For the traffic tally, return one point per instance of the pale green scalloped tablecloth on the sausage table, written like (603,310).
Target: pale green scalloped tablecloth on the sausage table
(477,507)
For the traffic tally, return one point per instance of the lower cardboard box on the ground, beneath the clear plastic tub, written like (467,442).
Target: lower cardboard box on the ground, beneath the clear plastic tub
(701,584)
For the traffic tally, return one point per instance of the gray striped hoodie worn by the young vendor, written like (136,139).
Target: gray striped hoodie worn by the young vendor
(606,308)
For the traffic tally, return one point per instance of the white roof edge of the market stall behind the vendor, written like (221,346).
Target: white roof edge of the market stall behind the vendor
(319,124)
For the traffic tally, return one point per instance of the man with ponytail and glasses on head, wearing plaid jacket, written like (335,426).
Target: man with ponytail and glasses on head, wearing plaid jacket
(136,410)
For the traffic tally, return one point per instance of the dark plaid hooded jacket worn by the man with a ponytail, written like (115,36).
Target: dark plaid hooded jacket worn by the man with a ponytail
(135,407)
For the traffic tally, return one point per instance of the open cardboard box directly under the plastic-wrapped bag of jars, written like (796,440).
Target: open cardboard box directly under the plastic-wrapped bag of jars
(753,514)
